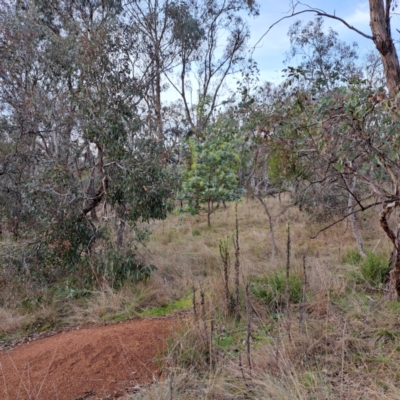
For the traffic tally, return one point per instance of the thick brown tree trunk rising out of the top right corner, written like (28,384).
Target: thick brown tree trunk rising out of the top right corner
(382,36)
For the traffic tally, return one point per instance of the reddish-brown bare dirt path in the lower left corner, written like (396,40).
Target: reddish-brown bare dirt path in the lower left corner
(87,363)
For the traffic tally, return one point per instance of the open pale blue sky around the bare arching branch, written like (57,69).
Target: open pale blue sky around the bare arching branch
(270,52)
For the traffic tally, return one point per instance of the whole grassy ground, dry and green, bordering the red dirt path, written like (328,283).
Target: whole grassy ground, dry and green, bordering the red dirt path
(342,341)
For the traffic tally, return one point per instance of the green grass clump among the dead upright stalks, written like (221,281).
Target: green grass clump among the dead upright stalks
(270,289)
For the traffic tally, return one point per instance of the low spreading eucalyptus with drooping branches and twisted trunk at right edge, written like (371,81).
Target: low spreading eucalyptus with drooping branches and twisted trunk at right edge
(344,143)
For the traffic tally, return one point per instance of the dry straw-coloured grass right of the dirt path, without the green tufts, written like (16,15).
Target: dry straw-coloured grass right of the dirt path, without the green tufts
(349,344)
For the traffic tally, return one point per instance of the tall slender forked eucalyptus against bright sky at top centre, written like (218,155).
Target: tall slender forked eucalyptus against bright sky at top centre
(208,54)
